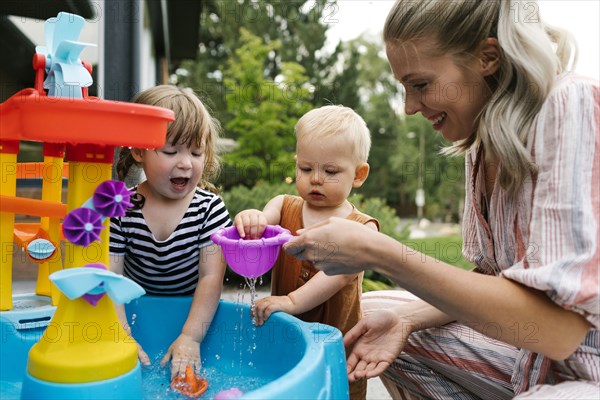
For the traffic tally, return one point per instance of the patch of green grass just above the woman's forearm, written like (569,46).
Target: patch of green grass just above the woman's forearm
(447,249)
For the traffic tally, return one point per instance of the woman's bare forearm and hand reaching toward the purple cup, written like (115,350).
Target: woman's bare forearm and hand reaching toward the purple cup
(494,306)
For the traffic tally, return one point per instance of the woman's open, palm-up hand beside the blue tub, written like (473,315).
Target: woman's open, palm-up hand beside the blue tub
(374,343)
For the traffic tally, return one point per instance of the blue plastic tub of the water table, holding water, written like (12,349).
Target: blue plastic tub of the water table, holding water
(283,359)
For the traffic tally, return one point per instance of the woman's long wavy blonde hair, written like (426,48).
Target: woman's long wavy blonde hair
(532,54)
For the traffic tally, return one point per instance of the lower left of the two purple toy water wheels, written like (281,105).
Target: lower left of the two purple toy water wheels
(82,226)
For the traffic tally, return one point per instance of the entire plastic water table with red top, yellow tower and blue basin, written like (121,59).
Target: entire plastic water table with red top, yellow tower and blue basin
(68,343)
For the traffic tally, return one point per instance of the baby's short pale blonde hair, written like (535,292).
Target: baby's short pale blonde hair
(336,120)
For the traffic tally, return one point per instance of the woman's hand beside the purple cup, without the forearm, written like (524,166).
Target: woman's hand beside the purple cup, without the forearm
(335,246)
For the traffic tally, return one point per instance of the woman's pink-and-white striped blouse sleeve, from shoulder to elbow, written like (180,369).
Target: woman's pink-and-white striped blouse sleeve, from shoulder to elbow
(565,218)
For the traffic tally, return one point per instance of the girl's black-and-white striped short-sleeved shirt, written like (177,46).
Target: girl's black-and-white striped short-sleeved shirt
(168,267)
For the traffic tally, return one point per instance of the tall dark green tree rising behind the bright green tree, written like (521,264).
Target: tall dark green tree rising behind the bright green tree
(298,26)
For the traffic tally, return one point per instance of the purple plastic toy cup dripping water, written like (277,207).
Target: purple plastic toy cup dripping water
(251,258)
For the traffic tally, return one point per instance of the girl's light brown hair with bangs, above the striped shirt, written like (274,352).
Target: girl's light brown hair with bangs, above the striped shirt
(193,126)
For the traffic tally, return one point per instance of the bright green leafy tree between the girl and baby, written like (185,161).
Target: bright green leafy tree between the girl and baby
(264,112)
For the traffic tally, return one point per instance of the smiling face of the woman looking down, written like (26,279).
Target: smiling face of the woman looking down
(449,95)
